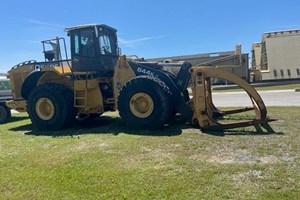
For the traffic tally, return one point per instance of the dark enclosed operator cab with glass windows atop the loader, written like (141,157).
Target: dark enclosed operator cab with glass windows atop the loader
(94,48)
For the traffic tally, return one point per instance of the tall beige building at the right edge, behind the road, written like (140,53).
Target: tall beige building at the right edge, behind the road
(277,56)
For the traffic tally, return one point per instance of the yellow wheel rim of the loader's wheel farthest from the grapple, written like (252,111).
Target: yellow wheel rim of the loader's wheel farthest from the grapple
(45,108)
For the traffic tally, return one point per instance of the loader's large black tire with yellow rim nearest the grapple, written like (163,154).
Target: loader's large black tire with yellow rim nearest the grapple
(145,102)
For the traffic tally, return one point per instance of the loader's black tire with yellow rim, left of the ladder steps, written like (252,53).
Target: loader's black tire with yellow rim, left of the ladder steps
(51,106)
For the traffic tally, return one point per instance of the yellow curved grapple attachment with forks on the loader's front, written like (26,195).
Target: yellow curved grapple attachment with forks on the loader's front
(205,112)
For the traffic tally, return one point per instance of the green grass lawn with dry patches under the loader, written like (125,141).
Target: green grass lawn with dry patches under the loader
(103,159)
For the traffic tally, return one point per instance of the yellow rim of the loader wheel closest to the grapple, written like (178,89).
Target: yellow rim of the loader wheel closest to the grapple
(141,105)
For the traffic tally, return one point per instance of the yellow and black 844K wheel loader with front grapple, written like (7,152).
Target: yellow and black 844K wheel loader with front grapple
(97,79)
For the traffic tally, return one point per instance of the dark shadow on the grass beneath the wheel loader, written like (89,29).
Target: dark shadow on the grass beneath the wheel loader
(115,126)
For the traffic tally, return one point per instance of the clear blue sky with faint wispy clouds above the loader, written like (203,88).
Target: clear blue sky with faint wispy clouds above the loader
(149,29)
